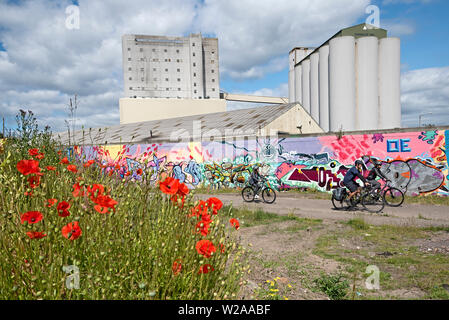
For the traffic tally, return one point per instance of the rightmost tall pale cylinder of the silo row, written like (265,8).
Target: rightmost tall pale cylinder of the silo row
(389,83)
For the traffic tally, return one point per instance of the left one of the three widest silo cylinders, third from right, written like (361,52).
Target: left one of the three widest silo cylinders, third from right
(342,83)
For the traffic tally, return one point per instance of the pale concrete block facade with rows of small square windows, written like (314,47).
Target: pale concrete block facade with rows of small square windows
(170,67)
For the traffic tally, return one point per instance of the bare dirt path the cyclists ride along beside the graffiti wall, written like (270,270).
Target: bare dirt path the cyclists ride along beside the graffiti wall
(300,205)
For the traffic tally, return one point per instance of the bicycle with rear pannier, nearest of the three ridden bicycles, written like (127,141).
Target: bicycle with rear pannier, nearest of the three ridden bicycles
(368,197)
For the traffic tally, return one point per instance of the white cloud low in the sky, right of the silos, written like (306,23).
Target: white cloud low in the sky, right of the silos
(424,91)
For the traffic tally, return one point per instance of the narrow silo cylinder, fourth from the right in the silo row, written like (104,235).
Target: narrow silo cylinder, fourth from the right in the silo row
(324,87)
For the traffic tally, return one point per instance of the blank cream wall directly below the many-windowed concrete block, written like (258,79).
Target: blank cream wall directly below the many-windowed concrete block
(146,109)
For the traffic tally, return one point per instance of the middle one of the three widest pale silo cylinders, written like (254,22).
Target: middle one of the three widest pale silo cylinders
(367,81)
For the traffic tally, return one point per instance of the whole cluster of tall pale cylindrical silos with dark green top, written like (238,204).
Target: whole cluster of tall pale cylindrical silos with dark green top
(351,82)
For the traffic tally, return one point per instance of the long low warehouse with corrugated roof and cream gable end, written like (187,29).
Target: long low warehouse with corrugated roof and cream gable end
(276,120)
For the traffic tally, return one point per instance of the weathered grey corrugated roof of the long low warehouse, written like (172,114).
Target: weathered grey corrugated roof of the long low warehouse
(236,123)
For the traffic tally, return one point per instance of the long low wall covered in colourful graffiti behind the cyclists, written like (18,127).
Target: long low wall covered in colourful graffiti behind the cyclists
(415,162)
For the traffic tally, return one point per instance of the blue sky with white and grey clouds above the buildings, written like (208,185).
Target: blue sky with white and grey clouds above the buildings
(44,61)
